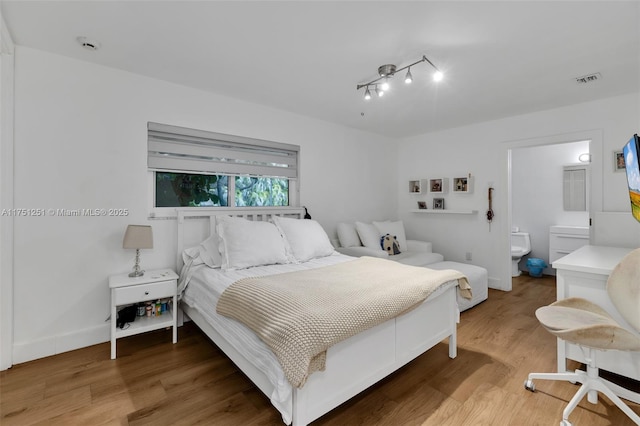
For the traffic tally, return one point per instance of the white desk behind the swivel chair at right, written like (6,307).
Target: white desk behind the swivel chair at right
(584,273)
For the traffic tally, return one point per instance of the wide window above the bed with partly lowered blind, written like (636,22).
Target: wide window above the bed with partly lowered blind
(193,168)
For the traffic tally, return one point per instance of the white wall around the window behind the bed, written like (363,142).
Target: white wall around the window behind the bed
(80,142)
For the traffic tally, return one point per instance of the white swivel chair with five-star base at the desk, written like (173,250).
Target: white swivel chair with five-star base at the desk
(585,324)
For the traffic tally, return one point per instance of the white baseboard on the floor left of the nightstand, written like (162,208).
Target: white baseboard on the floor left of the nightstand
(35,349)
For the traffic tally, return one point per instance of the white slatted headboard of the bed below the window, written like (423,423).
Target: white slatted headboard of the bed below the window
(196,224)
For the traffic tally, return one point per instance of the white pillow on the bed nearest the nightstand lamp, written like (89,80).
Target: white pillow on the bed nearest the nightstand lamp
(246,243)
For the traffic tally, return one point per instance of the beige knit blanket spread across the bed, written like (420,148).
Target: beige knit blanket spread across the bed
(299,315)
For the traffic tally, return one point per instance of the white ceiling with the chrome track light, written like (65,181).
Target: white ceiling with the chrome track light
(500,59)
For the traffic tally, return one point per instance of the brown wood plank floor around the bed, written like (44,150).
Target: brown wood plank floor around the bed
(192,382)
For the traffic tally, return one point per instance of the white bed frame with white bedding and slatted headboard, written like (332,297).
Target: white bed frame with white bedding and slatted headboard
(351,365)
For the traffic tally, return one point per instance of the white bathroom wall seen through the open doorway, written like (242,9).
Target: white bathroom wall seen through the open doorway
(537,193)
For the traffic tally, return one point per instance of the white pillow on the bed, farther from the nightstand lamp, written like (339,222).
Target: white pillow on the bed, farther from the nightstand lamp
(305,237)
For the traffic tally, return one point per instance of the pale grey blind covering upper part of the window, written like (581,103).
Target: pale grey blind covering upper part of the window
(179,149)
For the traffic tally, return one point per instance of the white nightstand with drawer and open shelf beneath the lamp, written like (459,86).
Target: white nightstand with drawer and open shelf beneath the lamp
(152,286)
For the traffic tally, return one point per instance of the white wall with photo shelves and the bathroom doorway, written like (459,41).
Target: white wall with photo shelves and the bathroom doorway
(482,150)
